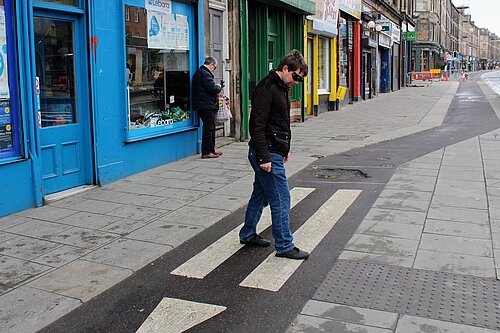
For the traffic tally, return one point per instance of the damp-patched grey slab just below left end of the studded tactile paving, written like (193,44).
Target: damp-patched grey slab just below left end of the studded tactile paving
(350,314)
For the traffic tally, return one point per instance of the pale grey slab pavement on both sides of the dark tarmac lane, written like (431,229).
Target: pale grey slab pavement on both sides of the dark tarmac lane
(54,258)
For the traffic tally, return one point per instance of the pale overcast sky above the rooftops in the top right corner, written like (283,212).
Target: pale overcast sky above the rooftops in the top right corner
(484,13)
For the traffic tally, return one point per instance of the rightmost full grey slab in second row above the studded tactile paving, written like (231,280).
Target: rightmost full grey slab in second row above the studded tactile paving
(458,245)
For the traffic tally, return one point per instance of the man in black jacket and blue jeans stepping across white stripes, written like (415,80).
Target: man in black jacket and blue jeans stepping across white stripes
(269,151)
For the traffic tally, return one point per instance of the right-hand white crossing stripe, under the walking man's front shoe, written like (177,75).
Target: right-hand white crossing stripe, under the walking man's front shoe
(273,272)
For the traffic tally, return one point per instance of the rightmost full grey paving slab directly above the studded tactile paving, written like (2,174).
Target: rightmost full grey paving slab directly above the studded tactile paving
(455,263)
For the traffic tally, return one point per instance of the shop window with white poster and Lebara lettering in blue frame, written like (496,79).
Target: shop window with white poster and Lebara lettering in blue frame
(157,72)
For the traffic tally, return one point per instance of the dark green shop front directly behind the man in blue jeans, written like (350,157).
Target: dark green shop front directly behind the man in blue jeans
(270,29)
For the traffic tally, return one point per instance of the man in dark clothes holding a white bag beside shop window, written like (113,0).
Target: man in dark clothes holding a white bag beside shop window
(206,102)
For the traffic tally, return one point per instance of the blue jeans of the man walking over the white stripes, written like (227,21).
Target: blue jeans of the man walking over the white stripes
(269,187)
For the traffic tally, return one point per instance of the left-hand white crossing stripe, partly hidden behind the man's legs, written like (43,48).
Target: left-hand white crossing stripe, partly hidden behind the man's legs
(214,255)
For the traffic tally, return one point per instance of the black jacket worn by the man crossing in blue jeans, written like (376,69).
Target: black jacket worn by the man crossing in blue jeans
(270,118)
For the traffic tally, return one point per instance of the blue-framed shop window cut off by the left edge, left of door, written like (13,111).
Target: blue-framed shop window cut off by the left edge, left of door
(10,121)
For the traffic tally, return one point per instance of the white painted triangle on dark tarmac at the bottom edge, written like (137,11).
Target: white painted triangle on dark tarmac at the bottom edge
(173,315)
